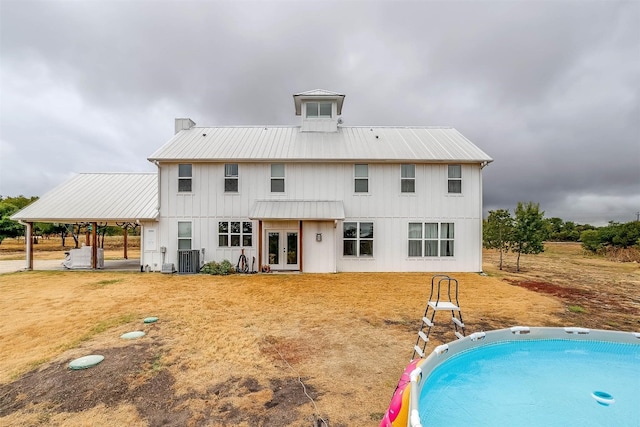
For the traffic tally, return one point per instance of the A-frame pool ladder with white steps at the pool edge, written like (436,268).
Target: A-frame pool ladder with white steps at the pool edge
(438,283)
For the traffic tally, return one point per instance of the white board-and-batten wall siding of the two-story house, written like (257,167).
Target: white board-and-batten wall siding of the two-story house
(385,205)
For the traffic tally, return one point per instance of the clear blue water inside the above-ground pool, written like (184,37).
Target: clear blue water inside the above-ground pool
(535,383)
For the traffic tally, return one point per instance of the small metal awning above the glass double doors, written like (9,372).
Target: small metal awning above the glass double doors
(297,210)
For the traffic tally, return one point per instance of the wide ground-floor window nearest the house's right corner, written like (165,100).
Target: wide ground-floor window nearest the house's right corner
(431,239)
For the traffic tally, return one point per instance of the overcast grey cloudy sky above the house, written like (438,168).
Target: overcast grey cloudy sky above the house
(550,90)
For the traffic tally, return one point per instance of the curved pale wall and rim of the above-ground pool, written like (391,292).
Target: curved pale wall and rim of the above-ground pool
(422,370)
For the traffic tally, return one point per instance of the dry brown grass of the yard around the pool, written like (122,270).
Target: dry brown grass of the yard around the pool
(228,345)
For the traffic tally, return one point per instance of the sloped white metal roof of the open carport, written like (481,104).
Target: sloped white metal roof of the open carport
(97,197)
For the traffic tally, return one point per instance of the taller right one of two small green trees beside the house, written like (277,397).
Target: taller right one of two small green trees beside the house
(528,230)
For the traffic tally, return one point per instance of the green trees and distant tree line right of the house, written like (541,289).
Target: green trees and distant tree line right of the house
(527,230)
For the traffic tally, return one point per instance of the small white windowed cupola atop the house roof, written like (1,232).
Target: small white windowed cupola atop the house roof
(320,110)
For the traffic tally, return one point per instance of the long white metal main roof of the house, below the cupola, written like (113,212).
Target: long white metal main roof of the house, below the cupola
(348,144)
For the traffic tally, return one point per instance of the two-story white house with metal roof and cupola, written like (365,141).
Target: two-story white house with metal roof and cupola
(318,197)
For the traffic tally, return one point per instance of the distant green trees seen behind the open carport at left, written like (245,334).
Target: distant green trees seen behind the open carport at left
(13,229)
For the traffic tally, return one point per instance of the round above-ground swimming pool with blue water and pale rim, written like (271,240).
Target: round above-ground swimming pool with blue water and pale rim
(524,377)
